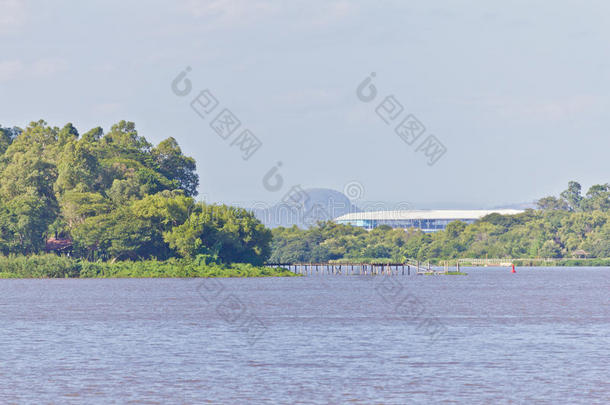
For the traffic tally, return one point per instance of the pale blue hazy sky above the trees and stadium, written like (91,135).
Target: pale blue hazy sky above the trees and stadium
(515,95)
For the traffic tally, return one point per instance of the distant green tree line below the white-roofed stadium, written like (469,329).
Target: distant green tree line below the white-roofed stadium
(565,226)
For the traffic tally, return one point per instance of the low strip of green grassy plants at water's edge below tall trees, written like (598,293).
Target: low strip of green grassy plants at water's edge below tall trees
(52,266)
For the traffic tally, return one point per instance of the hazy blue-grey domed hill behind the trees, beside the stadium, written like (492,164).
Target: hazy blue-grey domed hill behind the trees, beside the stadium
(305,207)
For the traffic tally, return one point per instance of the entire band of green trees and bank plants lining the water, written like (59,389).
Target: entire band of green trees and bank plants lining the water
(112,204)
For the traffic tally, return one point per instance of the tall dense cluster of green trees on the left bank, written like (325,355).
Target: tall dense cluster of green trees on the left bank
(113,196)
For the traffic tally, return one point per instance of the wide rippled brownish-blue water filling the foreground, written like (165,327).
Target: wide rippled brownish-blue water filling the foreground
(541,335)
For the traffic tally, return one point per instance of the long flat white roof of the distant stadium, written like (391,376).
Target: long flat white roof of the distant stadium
(424,214)
